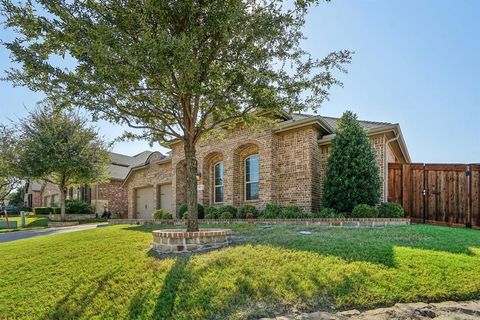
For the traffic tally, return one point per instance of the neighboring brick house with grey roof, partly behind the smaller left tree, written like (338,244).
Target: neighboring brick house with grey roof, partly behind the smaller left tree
(111,195)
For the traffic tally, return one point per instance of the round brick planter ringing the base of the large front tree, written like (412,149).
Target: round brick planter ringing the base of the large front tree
(177,240)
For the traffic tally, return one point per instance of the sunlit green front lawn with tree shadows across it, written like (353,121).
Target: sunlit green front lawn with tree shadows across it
(110,273)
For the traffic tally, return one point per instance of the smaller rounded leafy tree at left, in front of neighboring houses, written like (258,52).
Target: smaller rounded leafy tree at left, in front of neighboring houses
(60,147)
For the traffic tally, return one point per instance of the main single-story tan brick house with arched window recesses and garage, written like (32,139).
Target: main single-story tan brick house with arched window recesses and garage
(282,164)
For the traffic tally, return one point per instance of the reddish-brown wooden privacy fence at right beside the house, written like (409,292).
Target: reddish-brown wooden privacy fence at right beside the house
(445,194)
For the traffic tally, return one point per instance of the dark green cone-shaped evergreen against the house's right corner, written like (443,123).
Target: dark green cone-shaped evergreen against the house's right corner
(352,175)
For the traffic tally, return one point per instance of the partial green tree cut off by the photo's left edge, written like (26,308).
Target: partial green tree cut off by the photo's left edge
(9,176)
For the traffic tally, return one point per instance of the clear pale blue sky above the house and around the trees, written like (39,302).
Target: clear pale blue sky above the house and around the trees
(416,63)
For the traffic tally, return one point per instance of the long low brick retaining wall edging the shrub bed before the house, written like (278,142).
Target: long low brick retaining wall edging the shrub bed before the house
(344,222)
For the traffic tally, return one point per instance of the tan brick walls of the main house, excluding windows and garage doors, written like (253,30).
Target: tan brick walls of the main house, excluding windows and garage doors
(292,168)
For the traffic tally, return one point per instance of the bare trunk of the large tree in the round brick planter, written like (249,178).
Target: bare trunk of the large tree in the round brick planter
(191,160)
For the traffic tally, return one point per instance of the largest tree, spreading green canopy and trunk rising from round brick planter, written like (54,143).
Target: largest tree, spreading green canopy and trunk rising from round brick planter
(174,69)
